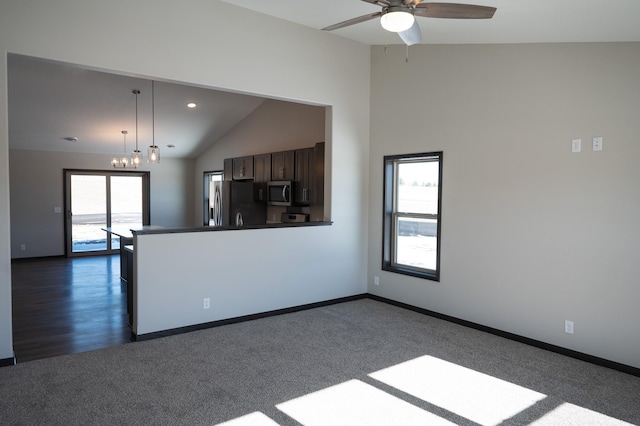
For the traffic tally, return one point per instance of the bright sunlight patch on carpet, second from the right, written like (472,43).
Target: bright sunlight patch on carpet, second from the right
(476,396)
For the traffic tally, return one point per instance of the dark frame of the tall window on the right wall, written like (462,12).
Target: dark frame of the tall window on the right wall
(391,215)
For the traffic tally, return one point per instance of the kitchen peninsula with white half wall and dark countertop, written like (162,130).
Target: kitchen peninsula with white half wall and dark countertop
(183,279)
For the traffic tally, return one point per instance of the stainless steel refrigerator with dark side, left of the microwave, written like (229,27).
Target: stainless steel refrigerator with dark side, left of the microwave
(232,203)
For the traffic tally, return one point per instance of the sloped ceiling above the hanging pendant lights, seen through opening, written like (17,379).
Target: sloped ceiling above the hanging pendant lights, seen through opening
(49,102)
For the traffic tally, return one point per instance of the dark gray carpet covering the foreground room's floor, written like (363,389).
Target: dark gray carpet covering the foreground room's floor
(219,374)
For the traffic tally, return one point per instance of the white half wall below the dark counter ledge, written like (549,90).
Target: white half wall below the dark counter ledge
(242,272)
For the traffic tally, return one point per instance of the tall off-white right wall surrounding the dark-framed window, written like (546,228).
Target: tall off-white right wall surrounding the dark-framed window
(532,234)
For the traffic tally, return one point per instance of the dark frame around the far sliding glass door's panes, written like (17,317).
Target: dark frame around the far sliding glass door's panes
(146,203)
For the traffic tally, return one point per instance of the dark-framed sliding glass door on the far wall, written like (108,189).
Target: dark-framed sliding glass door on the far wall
(98,200)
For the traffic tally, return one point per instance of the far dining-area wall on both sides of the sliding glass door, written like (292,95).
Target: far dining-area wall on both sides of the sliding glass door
(37,186)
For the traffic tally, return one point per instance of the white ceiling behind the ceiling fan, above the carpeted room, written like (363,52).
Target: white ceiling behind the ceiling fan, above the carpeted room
(515,21)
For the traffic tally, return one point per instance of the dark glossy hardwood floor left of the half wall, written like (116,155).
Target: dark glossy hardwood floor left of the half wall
(67,305)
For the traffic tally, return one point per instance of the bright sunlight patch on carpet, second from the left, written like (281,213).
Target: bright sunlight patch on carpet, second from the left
(355,403)
